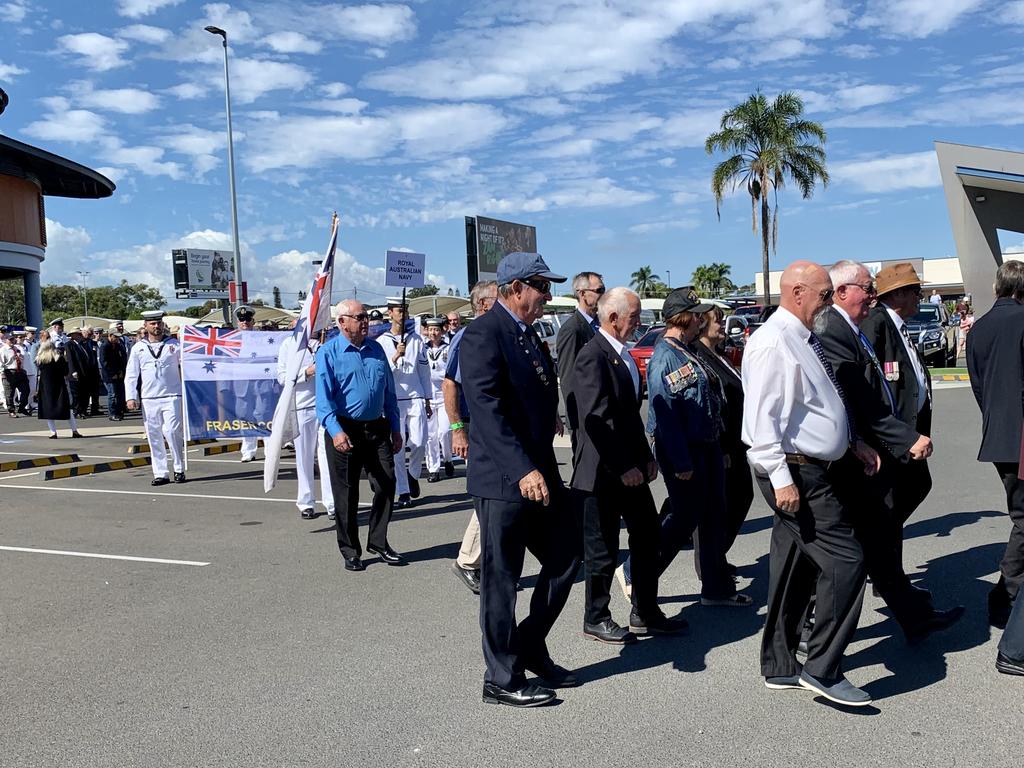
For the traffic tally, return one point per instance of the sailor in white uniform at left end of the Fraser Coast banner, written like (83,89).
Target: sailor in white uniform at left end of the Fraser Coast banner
(157,361)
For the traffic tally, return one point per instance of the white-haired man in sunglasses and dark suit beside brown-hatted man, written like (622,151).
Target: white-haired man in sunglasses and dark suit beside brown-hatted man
(879,525)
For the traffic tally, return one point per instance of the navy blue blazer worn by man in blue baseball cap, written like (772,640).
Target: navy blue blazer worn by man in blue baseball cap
(513,394)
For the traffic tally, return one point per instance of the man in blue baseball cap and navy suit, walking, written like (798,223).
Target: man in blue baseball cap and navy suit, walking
(510,388)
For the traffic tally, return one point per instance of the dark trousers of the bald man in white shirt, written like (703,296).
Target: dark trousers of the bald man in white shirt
(814,552)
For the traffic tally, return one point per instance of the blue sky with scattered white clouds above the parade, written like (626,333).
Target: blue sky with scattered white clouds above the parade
(584,119)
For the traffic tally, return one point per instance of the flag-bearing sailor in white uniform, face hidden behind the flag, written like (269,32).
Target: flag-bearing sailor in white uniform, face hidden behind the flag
(310,441)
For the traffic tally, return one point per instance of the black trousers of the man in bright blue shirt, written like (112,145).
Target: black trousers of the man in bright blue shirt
(371,451)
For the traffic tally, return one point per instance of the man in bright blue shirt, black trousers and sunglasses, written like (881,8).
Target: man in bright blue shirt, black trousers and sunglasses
(357,405)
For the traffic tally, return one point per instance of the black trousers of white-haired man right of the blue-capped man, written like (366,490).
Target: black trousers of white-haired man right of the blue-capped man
(603,514)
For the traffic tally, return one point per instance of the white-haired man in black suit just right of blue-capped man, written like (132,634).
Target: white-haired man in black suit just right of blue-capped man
(613,468)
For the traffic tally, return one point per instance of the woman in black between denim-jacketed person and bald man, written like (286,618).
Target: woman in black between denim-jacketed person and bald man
(739,483)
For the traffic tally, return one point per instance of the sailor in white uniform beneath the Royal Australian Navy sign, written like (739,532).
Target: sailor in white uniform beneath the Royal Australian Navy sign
(408,357)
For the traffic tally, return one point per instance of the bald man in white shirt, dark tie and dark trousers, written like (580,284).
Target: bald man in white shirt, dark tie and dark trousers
(797,423)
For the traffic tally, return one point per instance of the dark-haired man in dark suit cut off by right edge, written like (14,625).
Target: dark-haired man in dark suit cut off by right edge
(996,362)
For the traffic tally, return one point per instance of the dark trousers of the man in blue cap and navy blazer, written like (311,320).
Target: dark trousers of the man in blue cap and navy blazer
(507,531)
